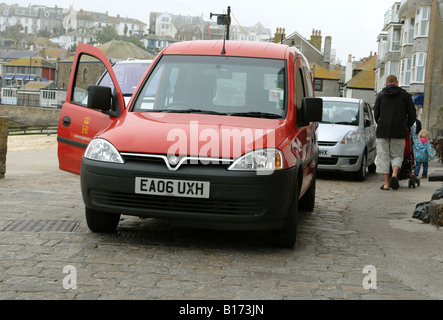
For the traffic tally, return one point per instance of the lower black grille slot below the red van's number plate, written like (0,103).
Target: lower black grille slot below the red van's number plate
(177,204)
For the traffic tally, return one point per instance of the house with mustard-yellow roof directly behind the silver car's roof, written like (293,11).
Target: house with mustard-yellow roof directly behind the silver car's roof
(362,83)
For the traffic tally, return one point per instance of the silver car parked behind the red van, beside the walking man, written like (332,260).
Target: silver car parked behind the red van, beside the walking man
(347,138)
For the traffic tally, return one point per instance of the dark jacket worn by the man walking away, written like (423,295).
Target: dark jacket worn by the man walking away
(394,112)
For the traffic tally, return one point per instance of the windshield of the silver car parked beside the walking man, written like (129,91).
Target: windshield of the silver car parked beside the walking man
(340,112)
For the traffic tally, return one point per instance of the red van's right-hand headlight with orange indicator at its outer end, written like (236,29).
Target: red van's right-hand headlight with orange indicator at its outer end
(259,160)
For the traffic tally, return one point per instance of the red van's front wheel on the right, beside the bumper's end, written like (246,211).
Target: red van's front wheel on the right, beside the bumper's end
(287,236)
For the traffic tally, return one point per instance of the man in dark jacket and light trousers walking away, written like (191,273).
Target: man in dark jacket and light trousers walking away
(394,112)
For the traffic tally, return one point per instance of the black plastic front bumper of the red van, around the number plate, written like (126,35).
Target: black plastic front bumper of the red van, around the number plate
(237,200)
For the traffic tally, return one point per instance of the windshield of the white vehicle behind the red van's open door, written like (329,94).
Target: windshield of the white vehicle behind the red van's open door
(128,76)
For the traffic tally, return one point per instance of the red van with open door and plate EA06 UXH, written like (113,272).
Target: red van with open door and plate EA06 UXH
(217,135)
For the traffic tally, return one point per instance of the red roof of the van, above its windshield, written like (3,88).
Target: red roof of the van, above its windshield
(232,48)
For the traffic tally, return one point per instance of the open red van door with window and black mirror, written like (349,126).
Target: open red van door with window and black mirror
(80,120)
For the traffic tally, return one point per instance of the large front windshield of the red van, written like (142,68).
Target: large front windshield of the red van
(246,87)
